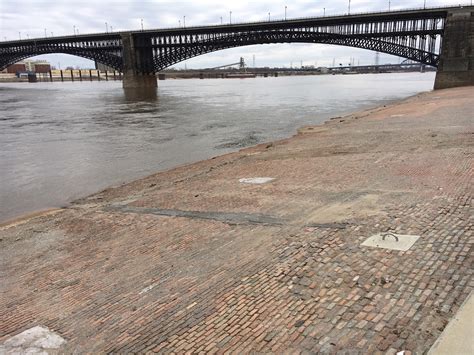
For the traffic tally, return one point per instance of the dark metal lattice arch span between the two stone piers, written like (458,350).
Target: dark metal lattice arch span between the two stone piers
(412,37)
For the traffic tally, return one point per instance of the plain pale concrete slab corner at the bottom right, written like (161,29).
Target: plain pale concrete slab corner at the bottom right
(458,337)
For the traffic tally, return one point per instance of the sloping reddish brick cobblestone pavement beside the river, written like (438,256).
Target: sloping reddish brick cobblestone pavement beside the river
(192,260)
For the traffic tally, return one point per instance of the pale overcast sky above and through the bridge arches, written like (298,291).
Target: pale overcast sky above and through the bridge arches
(30,18)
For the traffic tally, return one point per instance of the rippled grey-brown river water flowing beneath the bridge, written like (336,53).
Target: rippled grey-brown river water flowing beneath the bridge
(62,141)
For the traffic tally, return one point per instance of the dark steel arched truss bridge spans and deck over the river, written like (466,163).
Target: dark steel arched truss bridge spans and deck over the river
(412,34)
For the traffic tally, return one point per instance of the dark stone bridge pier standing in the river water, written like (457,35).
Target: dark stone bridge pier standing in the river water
(138,74)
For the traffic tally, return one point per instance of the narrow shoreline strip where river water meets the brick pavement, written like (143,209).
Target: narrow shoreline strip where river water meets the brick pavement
(24,217)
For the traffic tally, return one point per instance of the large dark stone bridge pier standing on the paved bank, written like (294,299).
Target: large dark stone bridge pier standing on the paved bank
(456,64)
